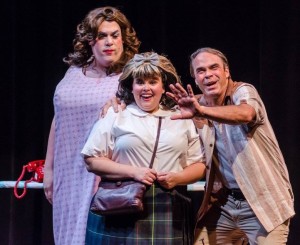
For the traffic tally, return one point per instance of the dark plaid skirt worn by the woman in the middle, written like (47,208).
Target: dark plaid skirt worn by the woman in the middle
(165,220)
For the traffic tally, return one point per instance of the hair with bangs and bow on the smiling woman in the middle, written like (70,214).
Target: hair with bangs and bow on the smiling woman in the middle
(147,65)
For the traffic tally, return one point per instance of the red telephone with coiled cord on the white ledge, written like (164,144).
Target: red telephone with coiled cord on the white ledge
(37,167)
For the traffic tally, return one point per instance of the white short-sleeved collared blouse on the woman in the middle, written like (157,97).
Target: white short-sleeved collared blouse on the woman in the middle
(128,137)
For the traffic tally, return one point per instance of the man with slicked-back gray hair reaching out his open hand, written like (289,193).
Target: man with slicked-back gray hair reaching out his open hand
(248,191)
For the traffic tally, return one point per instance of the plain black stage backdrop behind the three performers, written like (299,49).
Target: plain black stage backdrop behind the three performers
(260,38)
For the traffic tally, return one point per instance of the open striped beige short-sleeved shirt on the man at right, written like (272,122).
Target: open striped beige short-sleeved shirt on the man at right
(255,158)
